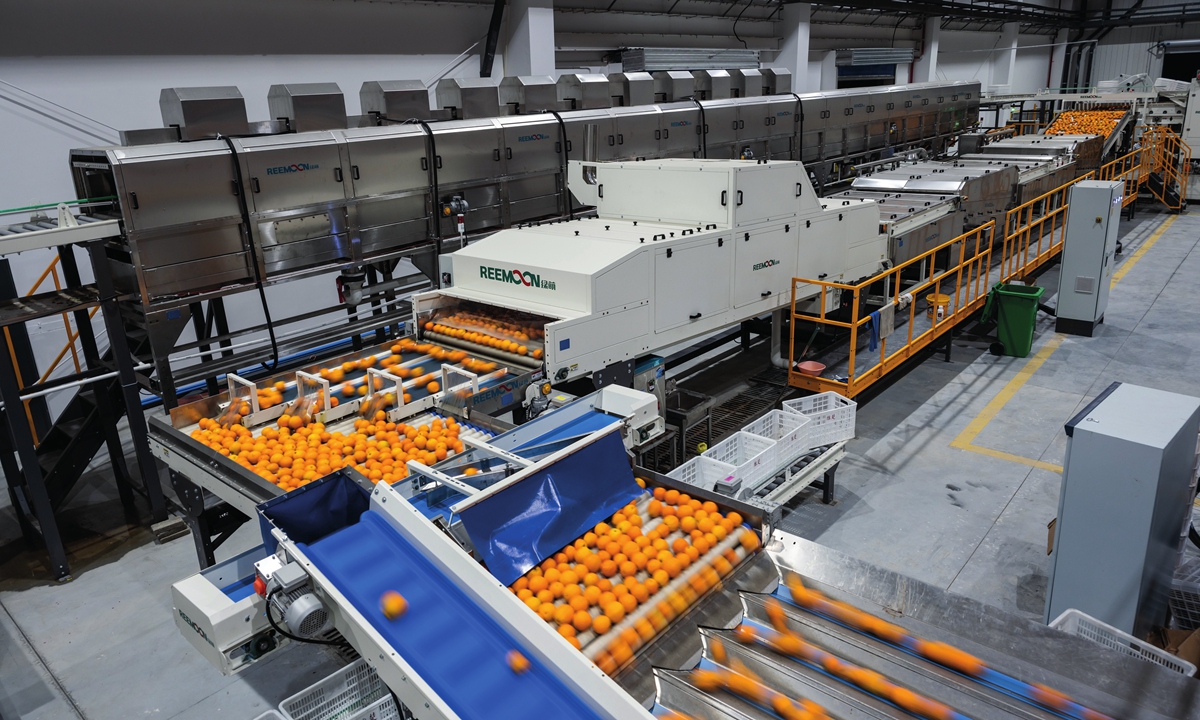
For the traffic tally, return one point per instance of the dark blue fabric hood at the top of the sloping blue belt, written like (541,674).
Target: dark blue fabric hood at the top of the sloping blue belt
(316,511)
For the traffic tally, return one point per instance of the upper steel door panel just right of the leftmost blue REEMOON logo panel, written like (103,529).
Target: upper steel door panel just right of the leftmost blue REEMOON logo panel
(387,160)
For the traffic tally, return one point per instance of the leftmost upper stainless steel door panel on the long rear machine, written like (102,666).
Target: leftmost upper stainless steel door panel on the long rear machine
(176,189)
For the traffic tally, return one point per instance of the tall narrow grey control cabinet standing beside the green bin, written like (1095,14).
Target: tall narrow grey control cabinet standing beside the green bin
(1089,253)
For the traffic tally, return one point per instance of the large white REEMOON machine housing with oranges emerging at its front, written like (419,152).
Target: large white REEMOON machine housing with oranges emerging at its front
(681,249)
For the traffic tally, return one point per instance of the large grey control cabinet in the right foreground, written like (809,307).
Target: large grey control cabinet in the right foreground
(1126,488)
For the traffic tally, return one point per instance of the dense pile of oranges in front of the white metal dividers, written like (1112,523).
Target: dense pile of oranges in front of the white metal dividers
(298,452)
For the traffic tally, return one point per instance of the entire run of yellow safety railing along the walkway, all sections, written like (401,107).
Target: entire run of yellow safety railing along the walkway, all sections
(1033,236)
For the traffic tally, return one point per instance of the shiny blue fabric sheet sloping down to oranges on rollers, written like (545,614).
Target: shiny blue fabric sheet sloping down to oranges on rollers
(527,523)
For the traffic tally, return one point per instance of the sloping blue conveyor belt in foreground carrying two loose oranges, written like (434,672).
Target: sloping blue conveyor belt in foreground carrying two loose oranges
(449,641)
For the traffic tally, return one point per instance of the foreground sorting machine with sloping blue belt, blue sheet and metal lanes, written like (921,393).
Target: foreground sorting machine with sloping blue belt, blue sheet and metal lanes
(466,646)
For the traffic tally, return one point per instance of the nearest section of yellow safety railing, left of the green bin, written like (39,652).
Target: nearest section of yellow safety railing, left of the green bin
(963,281)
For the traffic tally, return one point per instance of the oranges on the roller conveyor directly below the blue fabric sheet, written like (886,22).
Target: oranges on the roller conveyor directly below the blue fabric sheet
(592,585)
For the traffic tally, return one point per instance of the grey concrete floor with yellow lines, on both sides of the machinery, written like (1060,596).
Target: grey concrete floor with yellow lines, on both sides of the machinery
(951,481)
